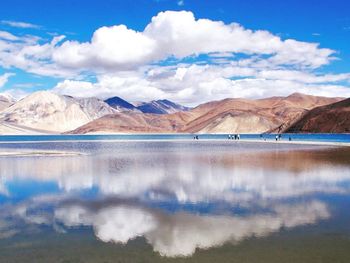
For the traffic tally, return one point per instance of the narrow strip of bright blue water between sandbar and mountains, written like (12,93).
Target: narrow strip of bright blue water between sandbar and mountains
(321,137)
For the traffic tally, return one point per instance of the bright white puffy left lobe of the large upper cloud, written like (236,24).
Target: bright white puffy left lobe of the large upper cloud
(110,47)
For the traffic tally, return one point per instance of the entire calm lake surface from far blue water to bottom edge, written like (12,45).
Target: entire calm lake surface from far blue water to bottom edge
(134,200)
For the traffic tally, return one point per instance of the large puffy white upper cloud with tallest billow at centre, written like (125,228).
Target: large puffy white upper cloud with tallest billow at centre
(180,35)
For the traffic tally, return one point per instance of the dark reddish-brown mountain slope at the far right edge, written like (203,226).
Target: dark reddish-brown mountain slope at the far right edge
(333,118)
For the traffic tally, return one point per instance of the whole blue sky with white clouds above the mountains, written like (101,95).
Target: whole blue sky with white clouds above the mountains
(188,51)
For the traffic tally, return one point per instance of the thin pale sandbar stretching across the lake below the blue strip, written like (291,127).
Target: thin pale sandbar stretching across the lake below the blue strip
(293,142)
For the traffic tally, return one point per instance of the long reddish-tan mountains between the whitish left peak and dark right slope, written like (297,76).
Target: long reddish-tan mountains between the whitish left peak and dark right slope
(225,116)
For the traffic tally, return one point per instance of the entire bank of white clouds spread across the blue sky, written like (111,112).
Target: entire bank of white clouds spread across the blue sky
(150,64)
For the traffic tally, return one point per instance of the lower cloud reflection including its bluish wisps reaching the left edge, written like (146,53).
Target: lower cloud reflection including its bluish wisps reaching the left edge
(170,234)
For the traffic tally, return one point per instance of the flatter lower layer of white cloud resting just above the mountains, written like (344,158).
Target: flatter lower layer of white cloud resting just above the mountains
(194,84)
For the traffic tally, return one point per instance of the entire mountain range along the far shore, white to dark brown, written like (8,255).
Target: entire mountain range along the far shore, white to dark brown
(45,112)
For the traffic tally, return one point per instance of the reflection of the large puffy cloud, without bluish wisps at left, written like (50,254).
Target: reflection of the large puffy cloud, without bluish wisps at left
(181,234)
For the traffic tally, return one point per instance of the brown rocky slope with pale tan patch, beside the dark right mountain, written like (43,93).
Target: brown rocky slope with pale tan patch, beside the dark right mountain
(252,116)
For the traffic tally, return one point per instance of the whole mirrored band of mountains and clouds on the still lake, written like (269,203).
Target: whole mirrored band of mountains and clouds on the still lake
(130,189)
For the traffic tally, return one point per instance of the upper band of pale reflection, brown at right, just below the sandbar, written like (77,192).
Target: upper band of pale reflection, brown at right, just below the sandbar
(199,177)
